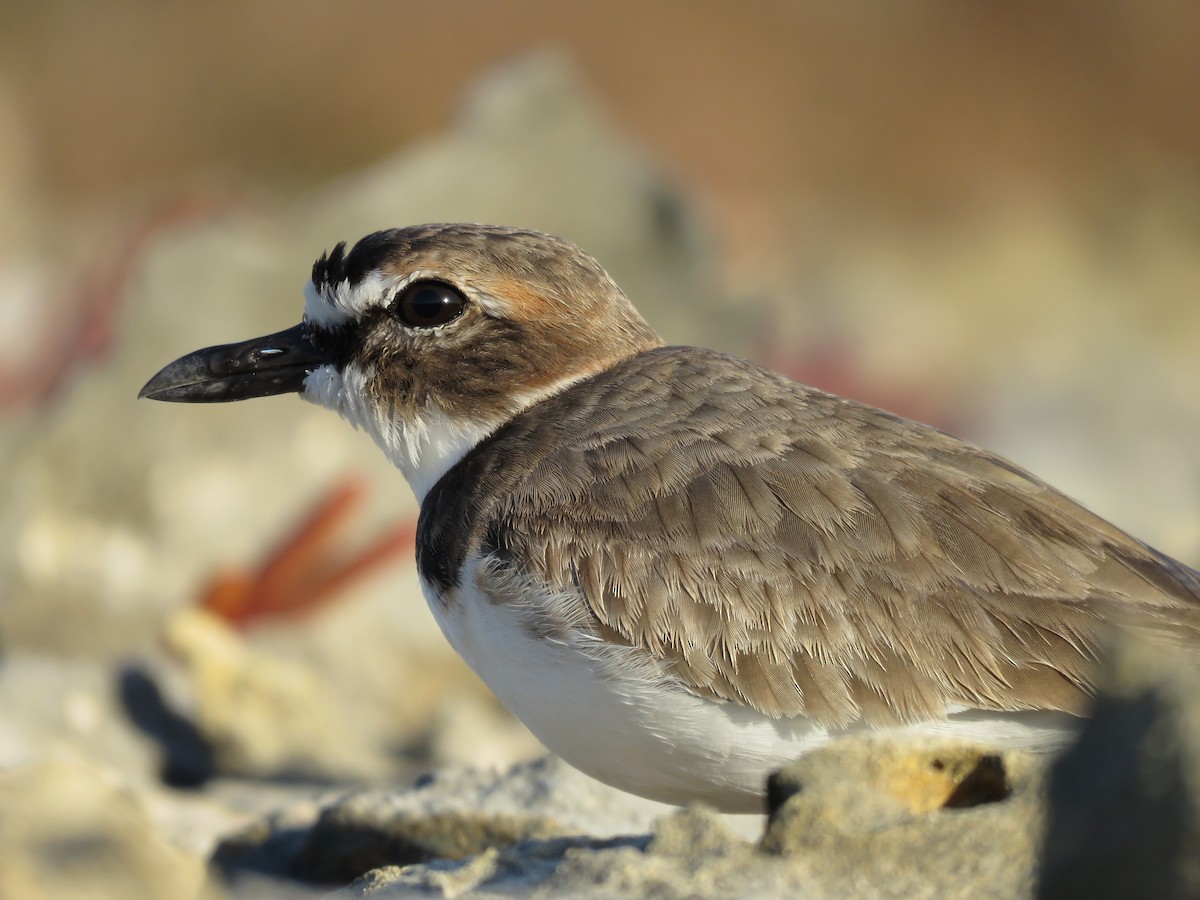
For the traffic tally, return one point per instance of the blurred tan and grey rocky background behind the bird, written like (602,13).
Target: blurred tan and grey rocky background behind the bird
(981,215)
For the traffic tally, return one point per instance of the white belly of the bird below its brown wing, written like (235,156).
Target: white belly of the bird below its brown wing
(615,721)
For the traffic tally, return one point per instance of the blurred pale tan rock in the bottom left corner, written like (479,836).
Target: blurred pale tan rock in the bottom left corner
(67,831)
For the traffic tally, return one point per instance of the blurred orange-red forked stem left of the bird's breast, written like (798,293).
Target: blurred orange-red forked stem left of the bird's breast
(304,574)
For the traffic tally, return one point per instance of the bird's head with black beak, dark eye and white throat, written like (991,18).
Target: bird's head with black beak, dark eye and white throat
(430,338)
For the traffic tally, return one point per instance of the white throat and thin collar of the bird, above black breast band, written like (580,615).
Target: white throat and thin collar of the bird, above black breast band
(424,447)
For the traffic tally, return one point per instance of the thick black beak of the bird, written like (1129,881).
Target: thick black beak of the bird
(260,368)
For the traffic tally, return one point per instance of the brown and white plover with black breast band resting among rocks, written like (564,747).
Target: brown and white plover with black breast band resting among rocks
(680,569)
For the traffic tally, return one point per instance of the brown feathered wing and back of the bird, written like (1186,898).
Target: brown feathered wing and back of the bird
(777,547)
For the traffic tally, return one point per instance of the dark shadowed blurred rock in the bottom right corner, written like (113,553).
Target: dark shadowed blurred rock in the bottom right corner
(1125,801)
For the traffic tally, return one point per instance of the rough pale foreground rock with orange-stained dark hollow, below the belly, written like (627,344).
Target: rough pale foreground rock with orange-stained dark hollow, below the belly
(862,818)
